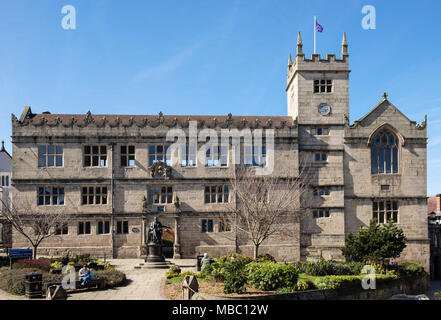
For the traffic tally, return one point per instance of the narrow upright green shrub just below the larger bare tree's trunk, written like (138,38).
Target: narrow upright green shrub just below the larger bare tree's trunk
(235,276)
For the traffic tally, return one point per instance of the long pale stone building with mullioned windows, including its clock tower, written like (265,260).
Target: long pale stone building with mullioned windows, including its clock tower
(104,170)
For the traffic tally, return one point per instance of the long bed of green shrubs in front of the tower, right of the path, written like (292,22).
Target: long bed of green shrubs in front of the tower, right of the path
(240,274)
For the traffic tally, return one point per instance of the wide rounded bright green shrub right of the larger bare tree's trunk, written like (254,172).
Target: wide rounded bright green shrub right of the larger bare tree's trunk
(270,275)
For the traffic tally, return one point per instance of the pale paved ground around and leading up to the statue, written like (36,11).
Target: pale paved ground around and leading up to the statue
(142,284)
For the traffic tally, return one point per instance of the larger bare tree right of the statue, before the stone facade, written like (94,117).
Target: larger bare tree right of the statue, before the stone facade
(264,205)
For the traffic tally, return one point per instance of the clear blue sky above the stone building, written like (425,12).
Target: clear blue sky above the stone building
(213,57)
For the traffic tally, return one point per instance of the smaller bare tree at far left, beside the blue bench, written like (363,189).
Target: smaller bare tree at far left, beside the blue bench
(35,227)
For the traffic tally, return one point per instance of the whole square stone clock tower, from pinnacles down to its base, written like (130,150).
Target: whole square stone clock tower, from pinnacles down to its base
(318,98)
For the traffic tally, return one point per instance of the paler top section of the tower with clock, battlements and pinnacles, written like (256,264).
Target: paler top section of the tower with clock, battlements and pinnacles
(318,89)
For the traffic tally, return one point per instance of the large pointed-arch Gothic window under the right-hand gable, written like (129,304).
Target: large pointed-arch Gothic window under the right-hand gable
(384,153)
